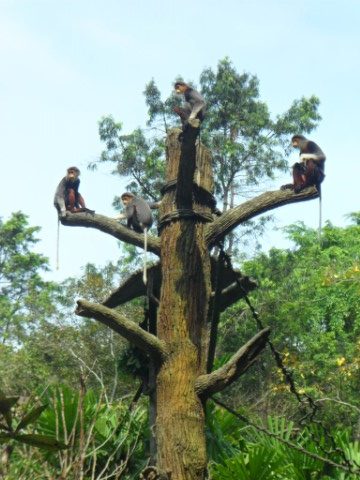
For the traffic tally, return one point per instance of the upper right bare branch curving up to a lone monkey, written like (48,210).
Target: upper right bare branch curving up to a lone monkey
(252,208)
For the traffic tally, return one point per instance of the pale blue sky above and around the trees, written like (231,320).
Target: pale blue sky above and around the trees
(64,65)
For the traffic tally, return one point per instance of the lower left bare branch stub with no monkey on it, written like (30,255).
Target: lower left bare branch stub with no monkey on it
(147,342)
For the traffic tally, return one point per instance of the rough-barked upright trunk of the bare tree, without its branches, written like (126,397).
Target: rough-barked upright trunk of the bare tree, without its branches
(182,326)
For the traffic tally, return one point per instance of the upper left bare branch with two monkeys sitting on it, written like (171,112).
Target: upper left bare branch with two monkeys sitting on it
(112,227)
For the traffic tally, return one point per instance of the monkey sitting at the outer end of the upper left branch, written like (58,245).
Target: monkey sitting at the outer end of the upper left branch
(67,195)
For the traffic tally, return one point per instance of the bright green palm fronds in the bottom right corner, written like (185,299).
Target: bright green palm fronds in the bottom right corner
(272,455)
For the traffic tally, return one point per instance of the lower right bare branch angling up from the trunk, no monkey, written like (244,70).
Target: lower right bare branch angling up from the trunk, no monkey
(216,381)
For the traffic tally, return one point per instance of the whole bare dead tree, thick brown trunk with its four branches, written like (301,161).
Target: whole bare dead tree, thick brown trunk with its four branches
(179,349)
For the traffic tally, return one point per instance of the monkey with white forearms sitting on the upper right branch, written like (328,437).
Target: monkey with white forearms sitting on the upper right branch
(310,170)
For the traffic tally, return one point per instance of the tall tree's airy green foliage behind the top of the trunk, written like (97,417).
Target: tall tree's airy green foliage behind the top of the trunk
(247,145)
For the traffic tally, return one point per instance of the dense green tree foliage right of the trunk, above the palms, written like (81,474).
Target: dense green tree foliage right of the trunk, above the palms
(309,297)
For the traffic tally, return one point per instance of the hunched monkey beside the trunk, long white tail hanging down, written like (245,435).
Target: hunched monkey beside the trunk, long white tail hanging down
(139,218)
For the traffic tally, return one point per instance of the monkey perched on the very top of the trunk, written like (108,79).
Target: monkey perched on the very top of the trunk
(193,113)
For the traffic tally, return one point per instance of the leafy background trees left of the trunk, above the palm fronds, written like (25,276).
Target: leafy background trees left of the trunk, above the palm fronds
(41,339)
